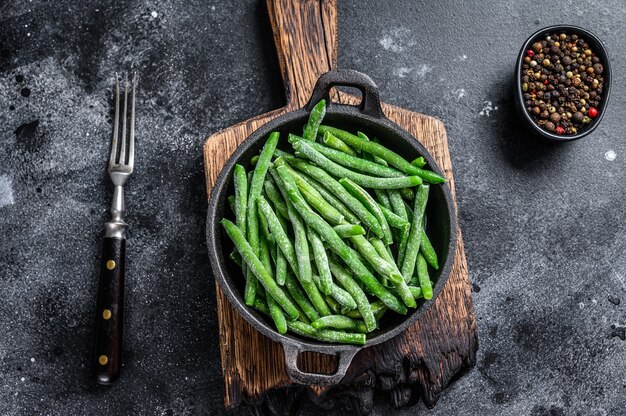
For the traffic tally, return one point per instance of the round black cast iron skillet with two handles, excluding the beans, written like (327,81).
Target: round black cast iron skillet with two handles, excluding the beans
(369,118)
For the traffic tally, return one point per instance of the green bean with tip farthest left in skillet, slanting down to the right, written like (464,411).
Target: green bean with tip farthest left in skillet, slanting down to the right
(257,268)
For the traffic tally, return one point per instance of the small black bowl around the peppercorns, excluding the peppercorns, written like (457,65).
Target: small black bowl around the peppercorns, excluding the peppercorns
(598,48)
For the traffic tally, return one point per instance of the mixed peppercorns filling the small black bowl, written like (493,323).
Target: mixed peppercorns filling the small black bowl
(562,83)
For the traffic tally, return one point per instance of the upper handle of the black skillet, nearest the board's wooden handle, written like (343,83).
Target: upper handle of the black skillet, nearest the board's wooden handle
(370,103)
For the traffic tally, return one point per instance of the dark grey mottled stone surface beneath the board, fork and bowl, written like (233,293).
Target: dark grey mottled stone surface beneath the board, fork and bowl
(543,224)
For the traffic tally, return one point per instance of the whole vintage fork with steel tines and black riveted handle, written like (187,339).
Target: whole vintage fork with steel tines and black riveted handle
(110,309)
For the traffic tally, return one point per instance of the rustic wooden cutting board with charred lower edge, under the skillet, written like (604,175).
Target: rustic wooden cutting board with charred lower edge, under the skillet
(419,363)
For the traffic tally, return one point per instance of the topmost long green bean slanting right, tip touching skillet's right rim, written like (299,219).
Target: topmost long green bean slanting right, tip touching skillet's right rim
(376,149)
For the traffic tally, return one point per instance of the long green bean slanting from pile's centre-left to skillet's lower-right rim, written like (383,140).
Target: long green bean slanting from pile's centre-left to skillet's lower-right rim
(337,245)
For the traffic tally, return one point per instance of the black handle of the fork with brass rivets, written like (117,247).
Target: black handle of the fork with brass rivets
(107,360)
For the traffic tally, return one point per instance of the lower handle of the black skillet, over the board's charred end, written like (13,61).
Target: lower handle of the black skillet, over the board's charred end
(301,377)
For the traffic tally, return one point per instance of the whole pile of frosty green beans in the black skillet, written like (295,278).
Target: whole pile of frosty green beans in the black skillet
(333,234)
